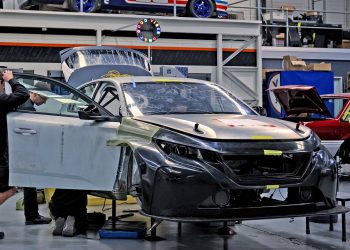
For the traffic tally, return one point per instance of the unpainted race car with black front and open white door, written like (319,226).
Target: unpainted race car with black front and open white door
(186,148)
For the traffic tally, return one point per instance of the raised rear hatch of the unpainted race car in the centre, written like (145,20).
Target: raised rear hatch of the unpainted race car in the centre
(83,64)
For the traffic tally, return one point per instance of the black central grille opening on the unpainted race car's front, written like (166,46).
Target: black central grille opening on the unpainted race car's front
(265,169)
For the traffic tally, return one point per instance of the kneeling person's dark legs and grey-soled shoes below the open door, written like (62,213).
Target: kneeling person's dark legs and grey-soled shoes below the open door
(68,207)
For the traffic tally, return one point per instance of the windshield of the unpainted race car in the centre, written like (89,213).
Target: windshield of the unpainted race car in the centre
(177,97)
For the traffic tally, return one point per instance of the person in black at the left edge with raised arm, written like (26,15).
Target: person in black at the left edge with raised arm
(8,103)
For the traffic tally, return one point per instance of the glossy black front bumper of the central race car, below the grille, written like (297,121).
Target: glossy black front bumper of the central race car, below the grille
(175,187)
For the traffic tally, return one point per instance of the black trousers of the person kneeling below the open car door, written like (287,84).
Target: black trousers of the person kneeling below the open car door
(65,202)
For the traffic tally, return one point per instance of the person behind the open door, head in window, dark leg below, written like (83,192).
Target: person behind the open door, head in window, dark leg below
(31,209)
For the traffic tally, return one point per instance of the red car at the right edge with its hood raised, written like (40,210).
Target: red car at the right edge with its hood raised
(328,115)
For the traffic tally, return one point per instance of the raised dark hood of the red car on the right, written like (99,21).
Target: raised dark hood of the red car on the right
(296,99)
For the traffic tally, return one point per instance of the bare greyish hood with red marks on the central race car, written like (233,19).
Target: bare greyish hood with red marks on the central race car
(227,126)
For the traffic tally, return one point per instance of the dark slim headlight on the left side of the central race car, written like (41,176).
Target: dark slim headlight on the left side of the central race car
(187,151)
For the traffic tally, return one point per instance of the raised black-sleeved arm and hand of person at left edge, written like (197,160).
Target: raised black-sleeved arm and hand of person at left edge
(19,93)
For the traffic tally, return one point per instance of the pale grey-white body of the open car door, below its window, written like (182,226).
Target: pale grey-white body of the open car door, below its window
(64,152)
